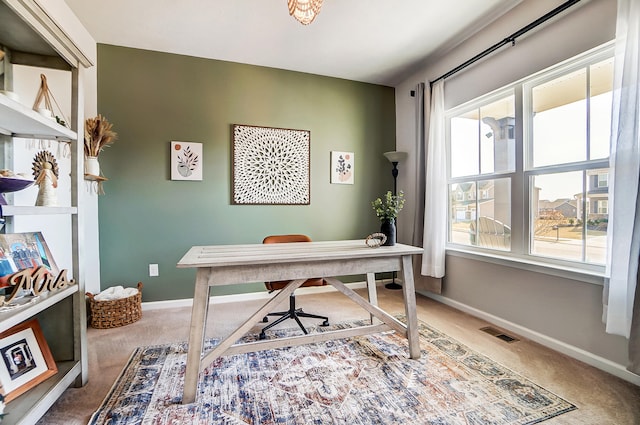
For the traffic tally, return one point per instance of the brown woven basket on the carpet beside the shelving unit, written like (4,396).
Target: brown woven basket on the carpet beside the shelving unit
(115,313)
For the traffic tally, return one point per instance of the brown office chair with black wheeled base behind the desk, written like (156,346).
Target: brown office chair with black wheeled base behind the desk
(293,312)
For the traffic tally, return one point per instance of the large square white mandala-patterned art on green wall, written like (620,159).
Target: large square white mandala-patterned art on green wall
(271,166)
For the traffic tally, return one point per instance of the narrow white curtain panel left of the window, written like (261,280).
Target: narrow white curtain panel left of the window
(435,198)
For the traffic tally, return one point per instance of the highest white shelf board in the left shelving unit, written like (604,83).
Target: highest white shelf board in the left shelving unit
(17,120)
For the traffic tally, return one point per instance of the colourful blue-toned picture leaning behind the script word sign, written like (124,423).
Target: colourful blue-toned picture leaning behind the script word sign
(19,251)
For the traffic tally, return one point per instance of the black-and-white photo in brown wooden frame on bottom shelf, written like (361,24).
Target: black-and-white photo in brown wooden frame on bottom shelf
(26,359)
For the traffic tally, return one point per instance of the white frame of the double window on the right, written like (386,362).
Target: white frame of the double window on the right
(520,254)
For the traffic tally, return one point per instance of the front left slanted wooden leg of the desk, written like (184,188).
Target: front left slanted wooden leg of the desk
(196,335)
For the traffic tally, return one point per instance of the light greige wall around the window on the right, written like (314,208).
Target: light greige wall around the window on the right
(562,313)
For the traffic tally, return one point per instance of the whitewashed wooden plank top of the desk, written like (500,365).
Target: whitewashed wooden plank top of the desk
(291,252)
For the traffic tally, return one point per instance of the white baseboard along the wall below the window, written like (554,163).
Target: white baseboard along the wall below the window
(577,353)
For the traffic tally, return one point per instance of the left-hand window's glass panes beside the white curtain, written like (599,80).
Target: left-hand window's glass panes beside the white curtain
(482,148)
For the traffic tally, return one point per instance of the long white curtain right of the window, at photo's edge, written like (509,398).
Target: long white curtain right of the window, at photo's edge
(624,236)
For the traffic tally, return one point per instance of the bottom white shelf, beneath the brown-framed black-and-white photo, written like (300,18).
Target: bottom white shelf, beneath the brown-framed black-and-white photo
(30,406)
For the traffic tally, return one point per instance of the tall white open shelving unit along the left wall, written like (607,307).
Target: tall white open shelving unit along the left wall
(30,36)
